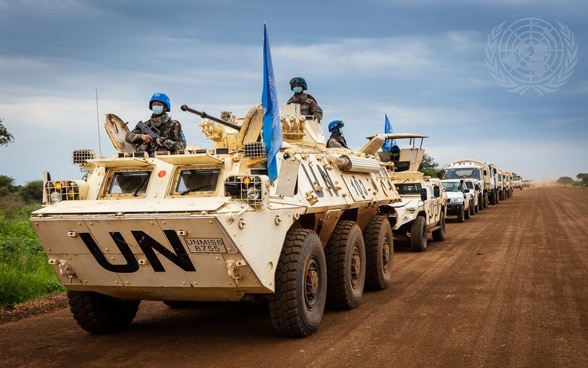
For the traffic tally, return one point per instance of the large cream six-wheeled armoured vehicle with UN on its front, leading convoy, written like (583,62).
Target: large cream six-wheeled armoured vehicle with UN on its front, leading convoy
(207,225)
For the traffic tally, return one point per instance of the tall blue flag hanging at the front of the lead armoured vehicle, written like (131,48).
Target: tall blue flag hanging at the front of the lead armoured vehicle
(272,129)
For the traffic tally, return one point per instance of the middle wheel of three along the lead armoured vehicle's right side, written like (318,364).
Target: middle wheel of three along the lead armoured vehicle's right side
(346,264)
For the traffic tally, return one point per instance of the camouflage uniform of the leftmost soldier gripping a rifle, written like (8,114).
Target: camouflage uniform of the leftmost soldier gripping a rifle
(171,131)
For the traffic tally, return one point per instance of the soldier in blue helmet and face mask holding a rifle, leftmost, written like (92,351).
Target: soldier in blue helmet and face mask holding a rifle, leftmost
(171,138)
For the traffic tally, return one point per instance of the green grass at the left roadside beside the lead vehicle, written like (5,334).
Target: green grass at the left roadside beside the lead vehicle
(24,271)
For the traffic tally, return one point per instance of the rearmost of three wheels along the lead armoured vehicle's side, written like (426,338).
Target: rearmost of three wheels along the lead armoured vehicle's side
(379,248)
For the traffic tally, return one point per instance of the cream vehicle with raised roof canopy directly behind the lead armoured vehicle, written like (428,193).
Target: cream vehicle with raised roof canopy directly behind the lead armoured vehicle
(422,209)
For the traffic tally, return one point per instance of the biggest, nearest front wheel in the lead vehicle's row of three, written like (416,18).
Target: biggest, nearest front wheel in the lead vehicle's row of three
(297,307)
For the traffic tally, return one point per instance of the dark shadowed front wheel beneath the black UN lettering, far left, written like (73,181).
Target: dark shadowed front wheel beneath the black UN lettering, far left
(99,313)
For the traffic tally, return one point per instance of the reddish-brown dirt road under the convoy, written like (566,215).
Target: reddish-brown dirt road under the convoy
(508,288)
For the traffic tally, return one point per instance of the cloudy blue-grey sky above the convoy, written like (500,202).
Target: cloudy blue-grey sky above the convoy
(504,81)
